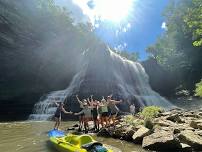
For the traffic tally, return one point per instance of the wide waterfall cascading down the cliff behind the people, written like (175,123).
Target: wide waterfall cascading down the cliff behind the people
(103,73)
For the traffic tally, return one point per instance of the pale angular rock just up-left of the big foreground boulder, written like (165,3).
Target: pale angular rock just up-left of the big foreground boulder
(140,134)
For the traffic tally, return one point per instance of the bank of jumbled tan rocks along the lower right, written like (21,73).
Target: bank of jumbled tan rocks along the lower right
(174,130)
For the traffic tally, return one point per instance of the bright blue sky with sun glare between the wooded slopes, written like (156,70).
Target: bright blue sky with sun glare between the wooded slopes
(130,25)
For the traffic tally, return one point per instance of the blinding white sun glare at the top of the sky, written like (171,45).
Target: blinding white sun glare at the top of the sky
(112,10)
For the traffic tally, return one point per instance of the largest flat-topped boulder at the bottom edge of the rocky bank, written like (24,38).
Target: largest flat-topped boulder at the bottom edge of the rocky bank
(161,140)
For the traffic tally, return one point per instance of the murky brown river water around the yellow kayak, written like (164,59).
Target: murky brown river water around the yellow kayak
(32,137)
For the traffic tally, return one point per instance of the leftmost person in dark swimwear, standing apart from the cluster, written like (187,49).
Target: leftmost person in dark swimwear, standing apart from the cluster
(57,115)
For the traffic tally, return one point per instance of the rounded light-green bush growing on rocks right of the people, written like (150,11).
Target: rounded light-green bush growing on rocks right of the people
(150,112)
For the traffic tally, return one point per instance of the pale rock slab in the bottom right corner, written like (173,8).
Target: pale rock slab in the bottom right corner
(191,138)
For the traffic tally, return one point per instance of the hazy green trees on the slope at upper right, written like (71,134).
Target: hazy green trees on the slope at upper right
(174,49)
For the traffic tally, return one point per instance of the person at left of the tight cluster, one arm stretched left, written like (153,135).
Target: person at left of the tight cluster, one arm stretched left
(87,115)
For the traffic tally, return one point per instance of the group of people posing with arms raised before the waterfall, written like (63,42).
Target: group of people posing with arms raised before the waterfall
(103,113)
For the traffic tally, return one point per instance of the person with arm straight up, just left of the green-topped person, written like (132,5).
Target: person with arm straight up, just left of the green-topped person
(94,106)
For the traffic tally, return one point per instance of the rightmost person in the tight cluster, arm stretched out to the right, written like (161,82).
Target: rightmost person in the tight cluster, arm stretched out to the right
(114,110)
